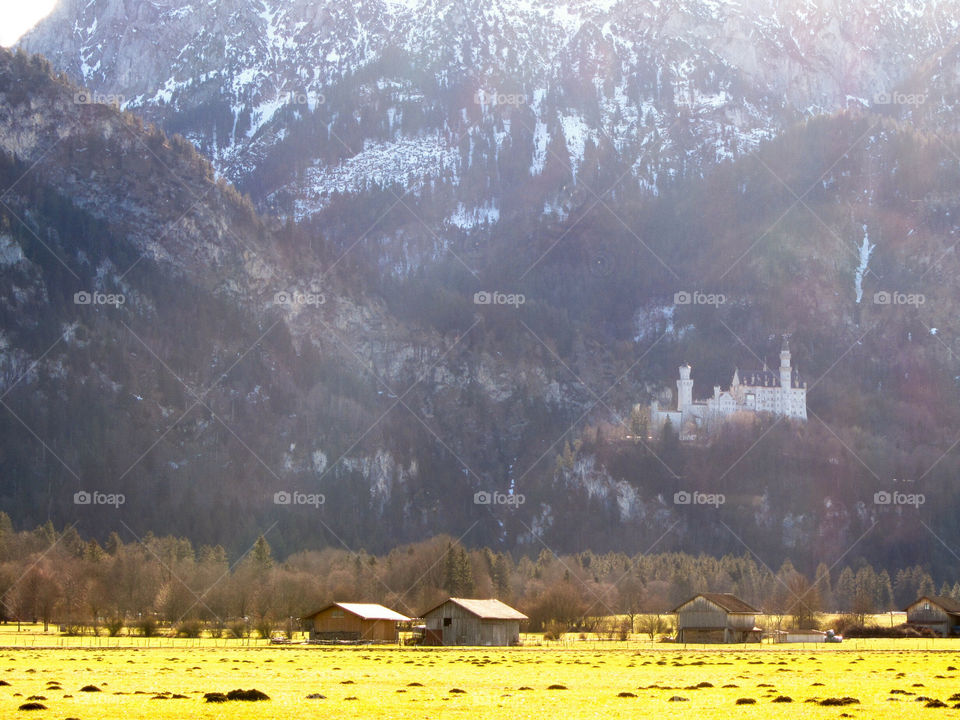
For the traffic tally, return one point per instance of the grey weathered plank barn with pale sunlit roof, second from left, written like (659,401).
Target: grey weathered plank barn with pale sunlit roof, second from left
(462,621)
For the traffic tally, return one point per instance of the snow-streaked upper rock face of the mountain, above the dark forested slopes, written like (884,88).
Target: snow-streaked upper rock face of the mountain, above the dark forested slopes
(487,100)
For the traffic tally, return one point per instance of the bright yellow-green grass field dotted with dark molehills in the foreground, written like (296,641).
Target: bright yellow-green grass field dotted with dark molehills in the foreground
(889,678)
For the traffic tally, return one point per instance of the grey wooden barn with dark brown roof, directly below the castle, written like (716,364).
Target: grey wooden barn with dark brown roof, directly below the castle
(716,617)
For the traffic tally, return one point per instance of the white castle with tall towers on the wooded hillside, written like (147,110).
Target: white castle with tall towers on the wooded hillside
(780,393)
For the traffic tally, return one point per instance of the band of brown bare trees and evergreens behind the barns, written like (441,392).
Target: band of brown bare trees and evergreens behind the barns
(164,584)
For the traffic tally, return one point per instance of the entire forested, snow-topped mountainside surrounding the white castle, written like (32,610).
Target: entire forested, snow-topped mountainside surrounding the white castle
(589,160)
